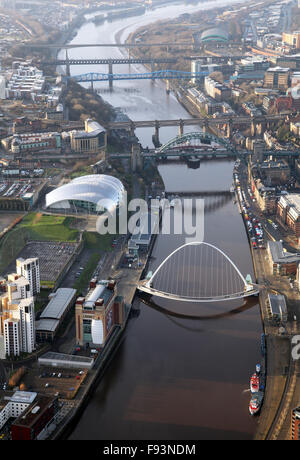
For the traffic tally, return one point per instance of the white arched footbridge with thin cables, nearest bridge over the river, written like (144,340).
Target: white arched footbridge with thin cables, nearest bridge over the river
(198,272)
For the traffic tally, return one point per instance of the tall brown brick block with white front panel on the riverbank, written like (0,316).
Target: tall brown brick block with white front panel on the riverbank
(98,313)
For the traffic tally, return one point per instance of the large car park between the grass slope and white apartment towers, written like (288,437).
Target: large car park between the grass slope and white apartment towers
(53,257)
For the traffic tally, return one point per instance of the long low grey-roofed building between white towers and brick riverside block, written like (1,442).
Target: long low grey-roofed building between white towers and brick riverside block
(54,313)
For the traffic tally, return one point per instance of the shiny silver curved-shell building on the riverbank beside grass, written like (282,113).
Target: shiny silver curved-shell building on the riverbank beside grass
(89,193)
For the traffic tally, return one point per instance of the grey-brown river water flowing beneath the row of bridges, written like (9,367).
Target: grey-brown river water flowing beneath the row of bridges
(174,377)
